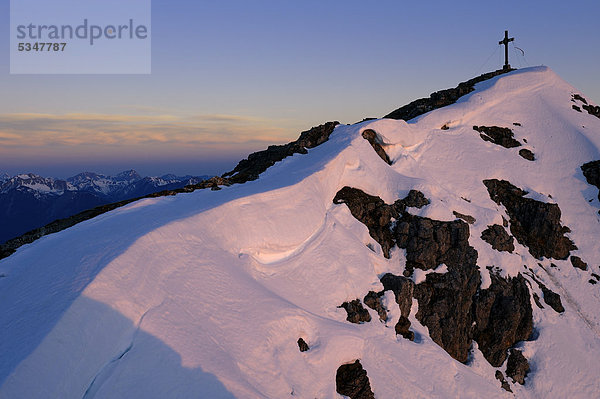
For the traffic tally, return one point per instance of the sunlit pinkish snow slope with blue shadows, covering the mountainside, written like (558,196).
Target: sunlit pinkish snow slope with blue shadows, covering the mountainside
(205,294)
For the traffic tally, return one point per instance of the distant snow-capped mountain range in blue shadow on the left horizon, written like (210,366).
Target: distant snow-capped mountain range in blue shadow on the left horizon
(28,201)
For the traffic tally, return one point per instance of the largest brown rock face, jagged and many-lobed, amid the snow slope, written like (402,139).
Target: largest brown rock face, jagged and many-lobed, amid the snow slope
(451,305)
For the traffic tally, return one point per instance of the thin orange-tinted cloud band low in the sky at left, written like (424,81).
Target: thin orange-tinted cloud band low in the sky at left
(76,129)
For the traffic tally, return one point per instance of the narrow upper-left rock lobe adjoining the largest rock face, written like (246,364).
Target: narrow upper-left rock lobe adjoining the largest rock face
(371,211)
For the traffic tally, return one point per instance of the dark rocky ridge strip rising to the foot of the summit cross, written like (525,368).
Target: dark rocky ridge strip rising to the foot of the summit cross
(441,98)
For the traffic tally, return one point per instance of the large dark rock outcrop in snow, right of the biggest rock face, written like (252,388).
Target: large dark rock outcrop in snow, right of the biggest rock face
(534,224)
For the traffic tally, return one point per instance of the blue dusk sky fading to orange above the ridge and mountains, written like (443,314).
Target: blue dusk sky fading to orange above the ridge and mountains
(232,77)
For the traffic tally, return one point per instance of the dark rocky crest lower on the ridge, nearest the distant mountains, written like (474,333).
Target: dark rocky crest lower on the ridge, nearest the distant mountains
(256,163)
